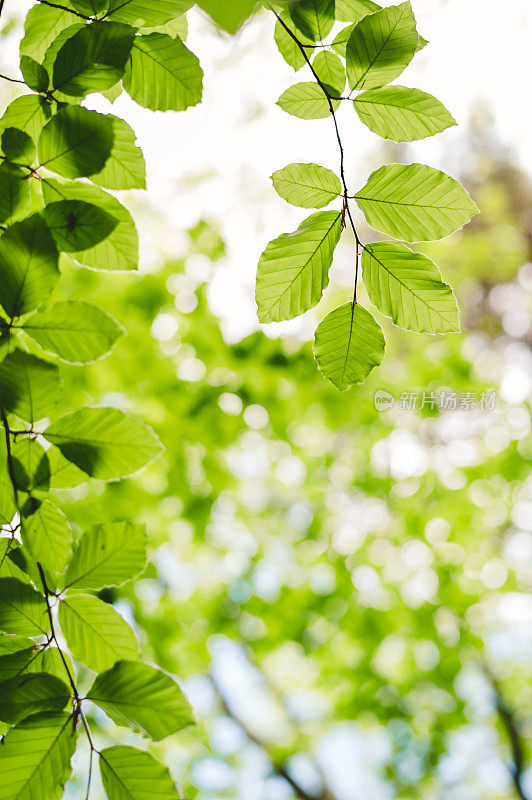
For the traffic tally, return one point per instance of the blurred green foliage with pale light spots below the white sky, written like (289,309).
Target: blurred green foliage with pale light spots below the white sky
(336,571)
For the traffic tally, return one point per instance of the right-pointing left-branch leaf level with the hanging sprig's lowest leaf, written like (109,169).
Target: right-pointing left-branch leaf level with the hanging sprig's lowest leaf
(74,330)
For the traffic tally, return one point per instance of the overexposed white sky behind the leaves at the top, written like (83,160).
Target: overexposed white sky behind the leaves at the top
(215,160)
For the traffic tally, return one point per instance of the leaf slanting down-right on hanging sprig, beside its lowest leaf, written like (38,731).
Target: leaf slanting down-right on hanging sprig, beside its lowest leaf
(407,287)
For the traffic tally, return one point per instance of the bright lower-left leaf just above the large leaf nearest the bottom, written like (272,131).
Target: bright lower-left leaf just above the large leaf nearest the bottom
(95,633)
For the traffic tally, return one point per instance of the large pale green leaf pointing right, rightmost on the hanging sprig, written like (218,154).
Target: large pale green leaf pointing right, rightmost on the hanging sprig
(415,202)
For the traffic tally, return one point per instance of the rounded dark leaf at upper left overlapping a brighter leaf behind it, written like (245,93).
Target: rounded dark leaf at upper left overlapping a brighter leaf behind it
(76,142)
